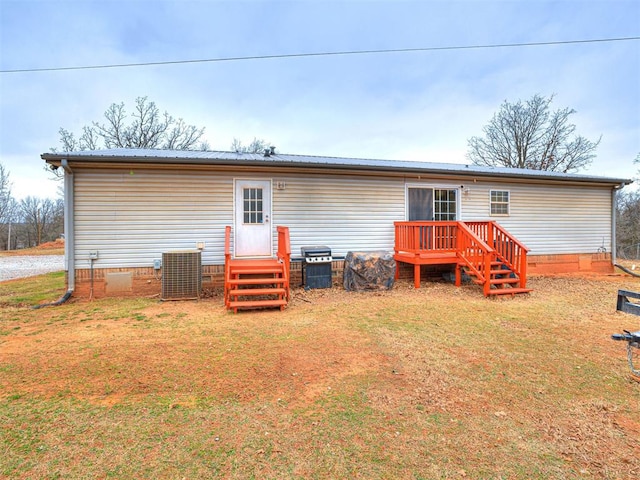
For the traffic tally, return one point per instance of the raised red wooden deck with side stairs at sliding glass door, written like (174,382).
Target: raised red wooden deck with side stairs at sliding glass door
(484,251)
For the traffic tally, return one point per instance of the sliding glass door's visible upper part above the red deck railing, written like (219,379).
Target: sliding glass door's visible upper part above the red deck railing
(430,204)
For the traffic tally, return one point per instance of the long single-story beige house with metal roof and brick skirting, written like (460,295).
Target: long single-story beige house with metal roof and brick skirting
(125,208)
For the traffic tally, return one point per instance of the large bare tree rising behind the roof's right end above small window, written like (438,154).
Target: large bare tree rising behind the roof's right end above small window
(529,135)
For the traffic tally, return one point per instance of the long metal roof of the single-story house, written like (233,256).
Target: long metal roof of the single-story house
(191,157)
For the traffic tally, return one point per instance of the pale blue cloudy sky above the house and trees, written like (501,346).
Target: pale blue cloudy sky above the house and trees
(421,105)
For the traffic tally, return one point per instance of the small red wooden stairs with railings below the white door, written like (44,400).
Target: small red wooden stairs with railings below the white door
(257,283)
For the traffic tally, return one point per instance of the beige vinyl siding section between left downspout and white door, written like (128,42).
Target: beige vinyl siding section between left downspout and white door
(131,217)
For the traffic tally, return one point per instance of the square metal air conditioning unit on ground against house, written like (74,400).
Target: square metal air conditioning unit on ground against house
(181,275)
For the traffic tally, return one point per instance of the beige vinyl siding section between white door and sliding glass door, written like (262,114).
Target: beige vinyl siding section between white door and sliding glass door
(346,213)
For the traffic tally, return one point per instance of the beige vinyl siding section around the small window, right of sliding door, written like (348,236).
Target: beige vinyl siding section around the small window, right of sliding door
(548,219)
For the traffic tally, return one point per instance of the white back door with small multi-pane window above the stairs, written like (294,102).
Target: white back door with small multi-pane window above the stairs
(253,218)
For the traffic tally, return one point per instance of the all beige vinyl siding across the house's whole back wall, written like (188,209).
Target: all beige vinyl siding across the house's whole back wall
(131,217)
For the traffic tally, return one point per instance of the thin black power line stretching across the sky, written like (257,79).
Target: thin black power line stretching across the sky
(319,54)
